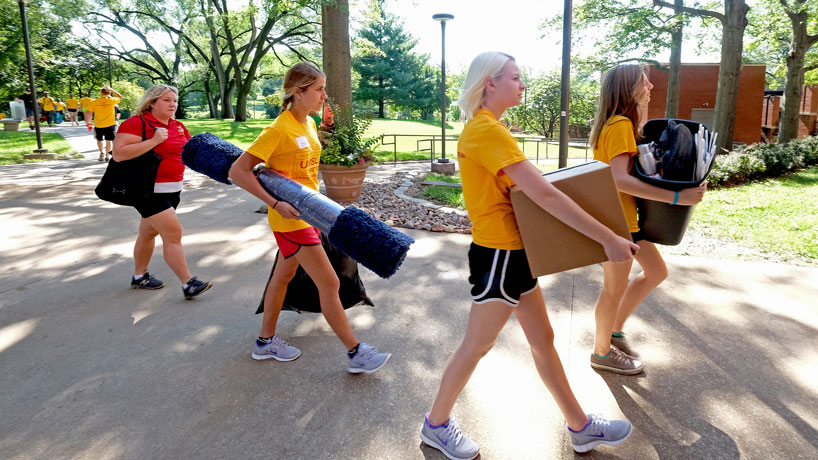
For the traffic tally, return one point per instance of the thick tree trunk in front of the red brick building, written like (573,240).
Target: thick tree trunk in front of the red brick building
(729,71)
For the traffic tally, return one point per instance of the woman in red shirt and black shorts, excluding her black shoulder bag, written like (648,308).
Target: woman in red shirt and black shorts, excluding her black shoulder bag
(153,122)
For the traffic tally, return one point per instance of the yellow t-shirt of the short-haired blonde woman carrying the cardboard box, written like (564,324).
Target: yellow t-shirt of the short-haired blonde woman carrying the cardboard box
(484,149)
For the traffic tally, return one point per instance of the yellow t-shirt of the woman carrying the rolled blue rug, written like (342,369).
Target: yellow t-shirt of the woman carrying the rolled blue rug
(291,149)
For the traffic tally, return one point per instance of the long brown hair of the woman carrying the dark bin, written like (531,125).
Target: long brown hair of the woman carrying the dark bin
(617,97)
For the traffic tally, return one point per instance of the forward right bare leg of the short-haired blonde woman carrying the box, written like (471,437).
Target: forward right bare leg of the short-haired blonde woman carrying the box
(533,318)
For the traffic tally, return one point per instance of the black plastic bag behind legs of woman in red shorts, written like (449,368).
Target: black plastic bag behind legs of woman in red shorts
(302,294)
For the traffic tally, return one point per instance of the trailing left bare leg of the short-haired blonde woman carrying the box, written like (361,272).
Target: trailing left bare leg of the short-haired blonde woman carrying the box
(485,322)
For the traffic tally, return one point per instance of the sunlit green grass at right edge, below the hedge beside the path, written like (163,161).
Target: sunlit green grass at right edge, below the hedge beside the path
(776,215)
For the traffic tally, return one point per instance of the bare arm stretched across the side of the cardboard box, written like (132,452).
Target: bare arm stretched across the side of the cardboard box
(530,181)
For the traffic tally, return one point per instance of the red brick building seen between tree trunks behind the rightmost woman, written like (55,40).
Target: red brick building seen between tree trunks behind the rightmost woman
(697,97)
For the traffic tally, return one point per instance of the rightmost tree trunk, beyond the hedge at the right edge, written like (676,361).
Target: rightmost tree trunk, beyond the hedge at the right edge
(801,43)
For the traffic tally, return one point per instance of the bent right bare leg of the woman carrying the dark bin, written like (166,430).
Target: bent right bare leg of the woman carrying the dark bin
(654,271)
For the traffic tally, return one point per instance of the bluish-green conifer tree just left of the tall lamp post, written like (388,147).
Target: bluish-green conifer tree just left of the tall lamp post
(385,61)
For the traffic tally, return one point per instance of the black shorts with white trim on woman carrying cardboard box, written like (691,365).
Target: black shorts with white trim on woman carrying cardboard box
(499,275)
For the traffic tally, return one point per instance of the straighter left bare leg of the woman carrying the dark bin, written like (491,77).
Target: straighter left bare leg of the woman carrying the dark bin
(613,288)
